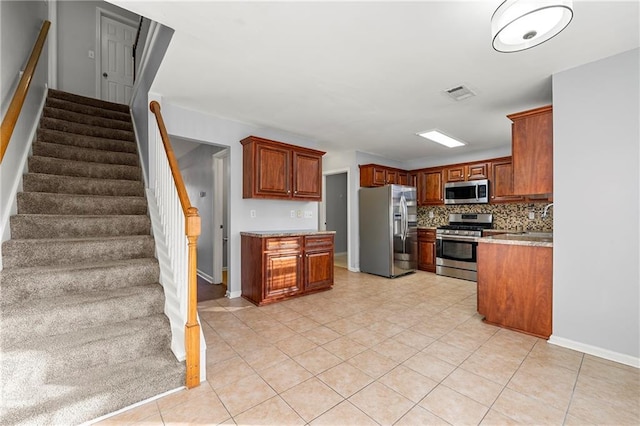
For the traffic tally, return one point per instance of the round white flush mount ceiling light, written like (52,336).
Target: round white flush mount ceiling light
(522,24)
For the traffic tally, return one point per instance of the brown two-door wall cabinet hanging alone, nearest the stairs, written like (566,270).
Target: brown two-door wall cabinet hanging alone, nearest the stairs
(278,170)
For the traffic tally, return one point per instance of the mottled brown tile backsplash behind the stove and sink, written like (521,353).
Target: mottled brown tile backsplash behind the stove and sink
(511,216)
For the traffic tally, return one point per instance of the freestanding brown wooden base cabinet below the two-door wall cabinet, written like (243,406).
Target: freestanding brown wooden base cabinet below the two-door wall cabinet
(277,268)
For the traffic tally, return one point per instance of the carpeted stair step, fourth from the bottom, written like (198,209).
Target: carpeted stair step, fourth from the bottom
(29,283)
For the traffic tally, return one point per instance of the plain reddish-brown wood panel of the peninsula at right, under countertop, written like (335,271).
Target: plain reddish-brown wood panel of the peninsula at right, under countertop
(515,287)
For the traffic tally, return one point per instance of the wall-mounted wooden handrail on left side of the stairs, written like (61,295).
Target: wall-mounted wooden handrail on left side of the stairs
(11,117)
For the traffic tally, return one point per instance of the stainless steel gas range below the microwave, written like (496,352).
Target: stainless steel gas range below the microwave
(457,244)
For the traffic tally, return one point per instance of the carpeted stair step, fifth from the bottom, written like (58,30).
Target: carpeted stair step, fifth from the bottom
(45,252)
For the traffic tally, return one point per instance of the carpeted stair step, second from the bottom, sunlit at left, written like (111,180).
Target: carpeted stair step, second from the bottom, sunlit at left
(120,342)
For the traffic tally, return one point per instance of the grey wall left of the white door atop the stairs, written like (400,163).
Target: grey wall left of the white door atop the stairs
(76,36)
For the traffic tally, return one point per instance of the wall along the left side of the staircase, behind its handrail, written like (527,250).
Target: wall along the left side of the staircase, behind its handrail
(20,24)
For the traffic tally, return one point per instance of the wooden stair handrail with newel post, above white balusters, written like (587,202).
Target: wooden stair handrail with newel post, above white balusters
(192,231)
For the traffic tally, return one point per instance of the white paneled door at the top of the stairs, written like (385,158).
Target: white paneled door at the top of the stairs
(116,47)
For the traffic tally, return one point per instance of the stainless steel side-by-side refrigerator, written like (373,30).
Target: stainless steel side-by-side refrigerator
(388,230)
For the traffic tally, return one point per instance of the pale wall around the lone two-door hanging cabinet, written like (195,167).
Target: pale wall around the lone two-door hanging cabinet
(270,214)
